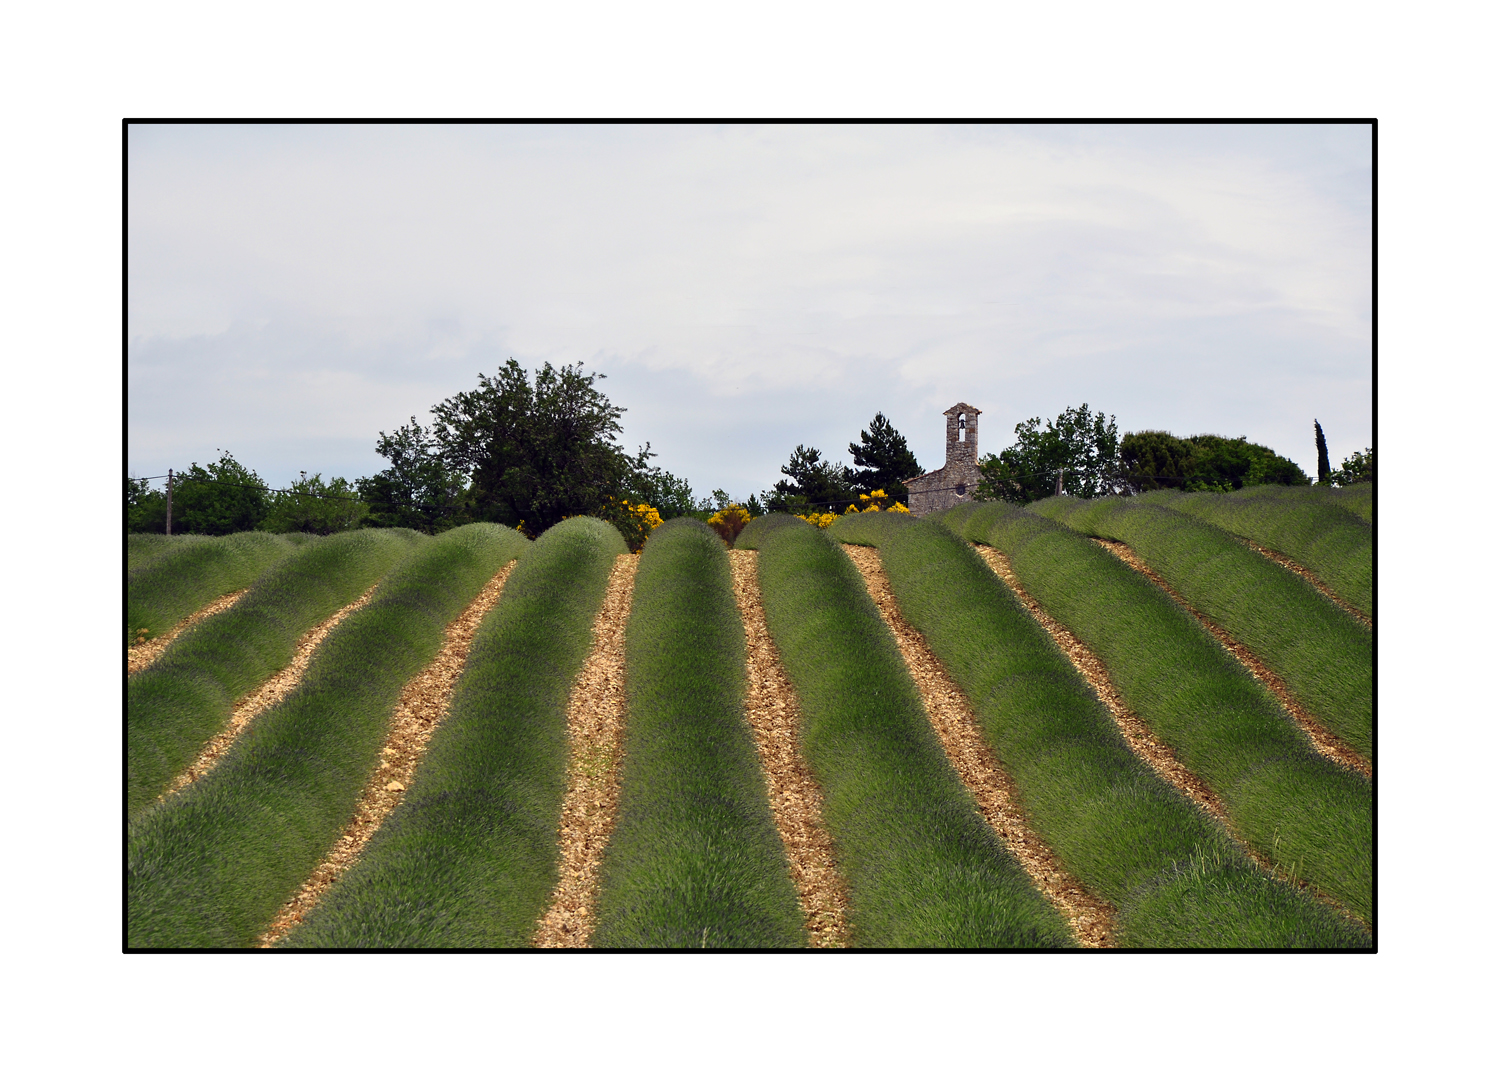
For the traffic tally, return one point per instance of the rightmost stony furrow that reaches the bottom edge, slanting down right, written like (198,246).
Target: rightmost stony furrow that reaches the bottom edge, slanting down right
(1091,918)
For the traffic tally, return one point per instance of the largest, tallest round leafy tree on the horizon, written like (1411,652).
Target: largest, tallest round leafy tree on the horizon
(538,451)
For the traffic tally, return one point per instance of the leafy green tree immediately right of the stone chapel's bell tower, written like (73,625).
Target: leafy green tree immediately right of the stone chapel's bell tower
(1079,445)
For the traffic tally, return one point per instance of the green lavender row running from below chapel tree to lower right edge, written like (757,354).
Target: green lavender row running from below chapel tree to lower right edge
(1291,805)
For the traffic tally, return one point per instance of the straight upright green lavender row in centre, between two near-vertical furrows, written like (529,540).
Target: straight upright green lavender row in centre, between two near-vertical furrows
(695,859)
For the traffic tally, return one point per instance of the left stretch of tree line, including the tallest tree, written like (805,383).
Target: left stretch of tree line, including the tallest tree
(517,451)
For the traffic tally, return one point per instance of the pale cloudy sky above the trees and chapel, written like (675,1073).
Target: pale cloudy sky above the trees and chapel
(296,290)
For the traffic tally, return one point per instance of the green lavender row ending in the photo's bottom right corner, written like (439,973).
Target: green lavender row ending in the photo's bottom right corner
(1112,822)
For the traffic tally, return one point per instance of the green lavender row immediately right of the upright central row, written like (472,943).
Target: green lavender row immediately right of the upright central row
(925,870)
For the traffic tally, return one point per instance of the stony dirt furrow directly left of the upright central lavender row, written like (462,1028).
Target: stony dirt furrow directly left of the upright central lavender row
(596,724)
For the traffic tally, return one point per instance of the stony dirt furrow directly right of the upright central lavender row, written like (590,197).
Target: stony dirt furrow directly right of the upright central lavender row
(776,720)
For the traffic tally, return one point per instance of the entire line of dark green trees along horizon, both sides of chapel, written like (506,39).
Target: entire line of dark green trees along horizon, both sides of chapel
(527,452)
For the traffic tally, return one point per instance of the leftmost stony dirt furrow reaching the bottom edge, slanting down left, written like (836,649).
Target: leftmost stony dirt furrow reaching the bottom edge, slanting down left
(422,708)
